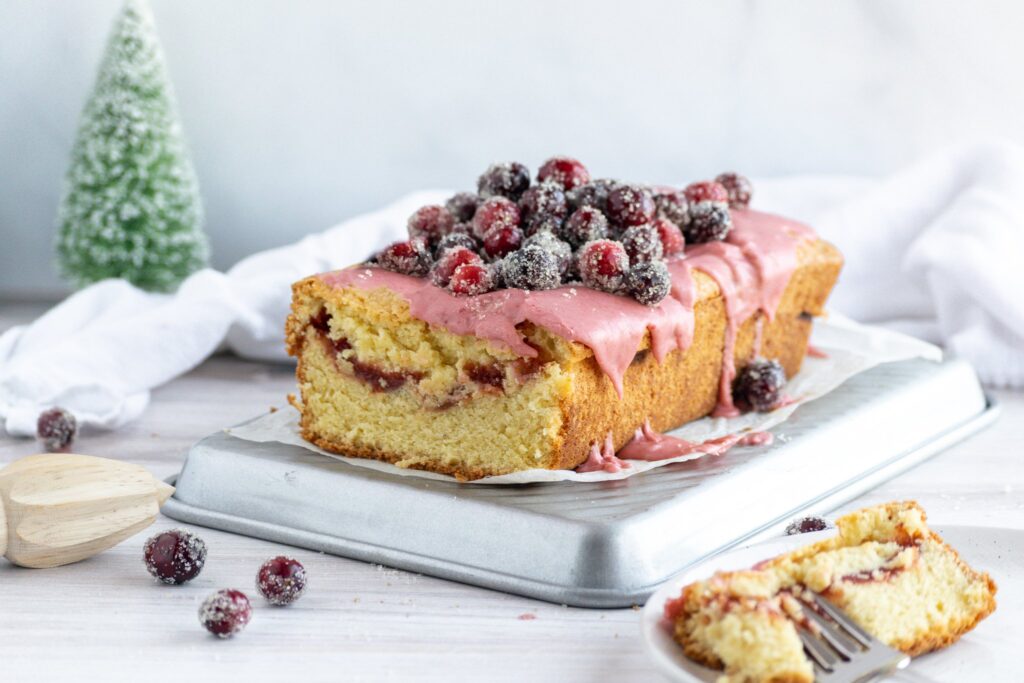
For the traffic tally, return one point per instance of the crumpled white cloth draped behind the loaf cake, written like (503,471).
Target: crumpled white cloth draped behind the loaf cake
(934,250)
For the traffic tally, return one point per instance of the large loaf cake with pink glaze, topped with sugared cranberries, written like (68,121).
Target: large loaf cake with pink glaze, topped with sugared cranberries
(524,326)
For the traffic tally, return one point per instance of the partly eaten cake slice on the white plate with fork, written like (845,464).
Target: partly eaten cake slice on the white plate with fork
(885,569)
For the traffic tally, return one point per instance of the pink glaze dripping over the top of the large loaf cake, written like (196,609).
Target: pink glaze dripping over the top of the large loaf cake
(752,269)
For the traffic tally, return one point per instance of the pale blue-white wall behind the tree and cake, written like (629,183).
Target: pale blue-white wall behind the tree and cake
(301,114)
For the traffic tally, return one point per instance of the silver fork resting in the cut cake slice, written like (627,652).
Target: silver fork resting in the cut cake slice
(842,652)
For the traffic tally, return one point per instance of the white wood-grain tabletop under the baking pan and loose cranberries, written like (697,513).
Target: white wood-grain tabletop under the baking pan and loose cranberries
(106,620)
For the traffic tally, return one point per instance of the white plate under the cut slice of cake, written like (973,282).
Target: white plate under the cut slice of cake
(991,653)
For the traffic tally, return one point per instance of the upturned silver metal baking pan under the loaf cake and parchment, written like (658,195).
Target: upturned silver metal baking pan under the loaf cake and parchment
(599,545)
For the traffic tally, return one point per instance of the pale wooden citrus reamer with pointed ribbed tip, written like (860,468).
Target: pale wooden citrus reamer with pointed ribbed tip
(62,508)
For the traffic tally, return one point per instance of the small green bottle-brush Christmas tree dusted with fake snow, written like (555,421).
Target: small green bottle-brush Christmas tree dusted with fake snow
(132,208)
